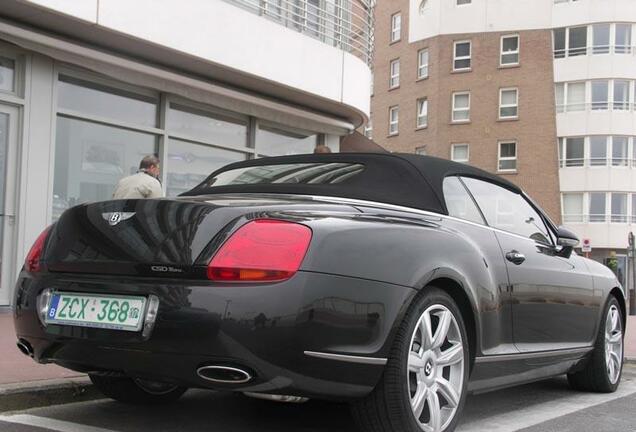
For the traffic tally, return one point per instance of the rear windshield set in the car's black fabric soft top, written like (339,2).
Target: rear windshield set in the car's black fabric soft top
(298,173)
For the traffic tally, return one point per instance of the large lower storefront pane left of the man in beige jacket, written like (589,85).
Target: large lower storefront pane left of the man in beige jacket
(90,159)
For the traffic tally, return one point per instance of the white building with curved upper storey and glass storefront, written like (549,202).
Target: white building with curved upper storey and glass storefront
(88,88)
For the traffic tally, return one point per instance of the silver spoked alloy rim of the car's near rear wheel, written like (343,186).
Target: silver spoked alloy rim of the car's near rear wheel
(436,369)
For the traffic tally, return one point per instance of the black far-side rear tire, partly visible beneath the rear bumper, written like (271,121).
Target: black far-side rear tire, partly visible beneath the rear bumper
(131,391)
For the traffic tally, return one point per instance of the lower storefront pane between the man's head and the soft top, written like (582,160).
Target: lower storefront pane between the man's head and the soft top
(189,164)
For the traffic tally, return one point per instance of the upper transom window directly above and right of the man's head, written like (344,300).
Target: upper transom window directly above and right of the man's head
(217,129)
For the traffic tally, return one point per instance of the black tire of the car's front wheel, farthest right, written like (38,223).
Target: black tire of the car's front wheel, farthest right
(595,377)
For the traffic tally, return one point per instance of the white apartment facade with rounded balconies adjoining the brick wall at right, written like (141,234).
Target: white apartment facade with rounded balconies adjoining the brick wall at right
(594,62)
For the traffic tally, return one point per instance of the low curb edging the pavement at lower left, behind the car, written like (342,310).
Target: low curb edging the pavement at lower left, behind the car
(33,394)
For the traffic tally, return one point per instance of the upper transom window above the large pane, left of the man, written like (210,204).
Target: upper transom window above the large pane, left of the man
(92,99)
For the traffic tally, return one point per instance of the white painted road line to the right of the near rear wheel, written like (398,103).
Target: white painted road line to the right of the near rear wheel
(527,417)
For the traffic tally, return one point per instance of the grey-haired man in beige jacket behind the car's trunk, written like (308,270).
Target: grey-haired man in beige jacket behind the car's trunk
(144,184)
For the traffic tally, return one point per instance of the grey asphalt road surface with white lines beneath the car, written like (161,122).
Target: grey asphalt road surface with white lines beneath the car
(541,407)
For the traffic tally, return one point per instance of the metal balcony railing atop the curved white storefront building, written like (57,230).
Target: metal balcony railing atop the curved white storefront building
(345,24)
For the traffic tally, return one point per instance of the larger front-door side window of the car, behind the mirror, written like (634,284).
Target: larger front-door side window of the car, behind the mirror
(508,211)
